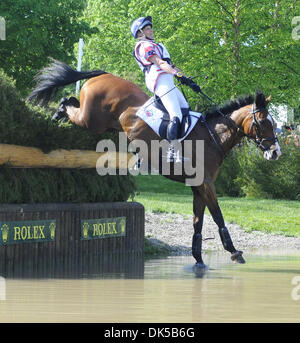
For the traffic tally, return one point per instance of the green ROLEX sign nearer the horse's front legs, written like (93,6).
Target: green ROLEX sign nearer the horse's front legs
(103,228)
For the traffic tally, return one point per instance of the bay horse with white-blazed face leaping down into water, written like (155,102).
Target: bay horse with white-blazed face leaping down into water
(110,102)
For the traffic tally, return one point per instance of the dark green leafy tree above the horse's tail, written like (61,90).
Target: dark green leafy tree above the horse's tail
(36,30)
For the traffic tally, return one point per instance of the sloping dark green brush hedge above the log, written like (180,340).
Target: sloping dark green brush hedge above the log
(23,124)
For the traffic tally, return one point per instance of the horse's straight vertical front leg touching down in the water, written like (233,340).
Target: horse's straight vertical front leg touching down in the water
(198,209)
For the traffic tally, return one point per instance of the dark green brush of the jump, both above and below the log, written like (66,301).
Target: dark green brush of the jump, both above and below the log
(21,124)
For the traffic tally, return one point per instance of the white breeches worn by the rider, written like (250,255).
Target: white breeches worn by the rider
(170,95)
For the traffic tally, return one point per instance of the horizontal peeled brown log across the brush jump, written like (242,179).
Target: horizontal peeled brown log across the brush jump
(16,156)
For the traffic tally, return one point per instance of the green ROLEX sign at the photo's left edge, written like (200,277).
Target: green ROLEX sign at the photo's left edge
(27,231)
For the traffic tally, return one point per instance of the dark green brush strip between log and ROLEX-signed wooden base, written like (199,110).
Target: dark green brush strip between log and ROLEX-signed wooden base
(61,185)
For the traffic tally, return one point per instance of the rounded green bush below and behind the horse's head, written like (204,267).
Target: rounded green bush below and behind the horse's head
(246,173)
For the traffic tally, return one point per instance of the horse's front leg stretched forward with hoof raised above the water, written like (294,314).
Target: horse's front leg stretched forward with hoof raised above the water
(215,211)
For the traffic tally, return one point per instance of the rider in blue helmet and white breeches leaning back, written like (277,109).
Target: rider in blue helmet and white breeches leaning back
(154,60)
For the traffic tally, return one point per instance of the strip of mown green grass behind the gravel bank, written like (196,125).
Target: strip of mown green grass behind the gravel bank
(159,194)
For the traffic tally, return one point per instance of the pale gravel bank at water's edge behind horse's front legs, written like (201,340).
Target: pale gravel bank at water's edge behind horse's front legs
(176,231)
